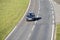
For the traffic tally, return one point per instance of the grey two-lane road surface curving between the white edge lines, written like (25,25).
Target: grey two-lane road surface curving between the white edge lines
(35,30)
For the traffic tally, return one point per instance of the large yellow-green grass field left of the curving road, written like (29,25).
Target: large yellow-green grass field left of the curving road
(11,12)
